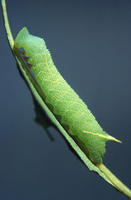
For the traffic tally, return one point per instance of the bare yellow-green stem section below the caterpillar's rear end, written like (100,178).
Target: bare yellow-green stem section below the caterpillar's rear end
(114,180)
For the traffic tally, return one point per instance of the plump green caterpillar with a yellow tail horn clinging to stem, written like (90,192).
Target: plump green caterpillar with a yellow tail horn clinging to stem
(71,112)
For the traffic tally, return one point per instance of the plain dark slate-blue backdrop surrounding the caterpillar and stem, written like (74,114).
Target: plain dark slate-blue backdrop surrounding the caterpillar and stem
(90,42)
